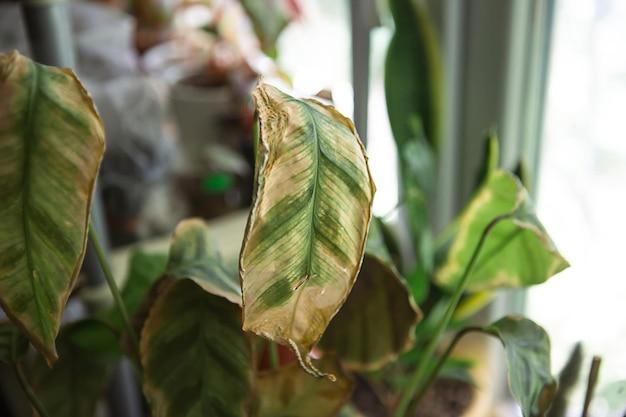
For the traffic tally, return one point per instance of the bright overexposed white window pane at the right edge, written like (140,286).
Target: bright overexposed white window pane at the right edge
(582,187)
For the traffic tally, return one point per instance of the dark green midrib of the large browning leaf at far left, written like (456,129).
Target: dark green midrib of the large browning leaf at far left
(28,134)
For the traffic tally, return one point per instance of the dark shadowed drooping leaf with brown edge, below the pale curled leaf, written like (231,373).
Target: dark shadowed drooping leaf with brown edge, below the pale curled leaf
(195,358)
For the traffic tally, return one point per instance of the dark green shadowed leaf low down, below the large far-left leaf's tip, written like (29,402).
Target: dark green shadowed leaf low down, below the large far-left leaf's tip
(75,383)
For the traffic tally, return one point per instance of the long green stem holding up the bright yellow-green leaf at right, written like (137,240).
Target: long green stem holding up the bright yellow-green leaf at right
(416,380)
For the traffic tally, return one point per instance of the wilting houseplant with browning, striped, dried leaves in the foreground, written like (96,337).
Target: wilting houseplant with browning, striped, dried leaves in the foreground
(311,277)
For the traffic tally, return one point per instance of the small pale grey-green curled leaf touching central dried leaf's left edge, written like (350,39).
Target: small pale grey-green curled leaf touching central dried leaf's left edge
(194,255)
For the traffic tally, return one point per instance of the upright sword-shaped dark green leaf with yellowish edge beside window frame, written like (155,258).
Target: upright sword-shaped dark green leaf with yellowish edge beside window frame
(413,74)
